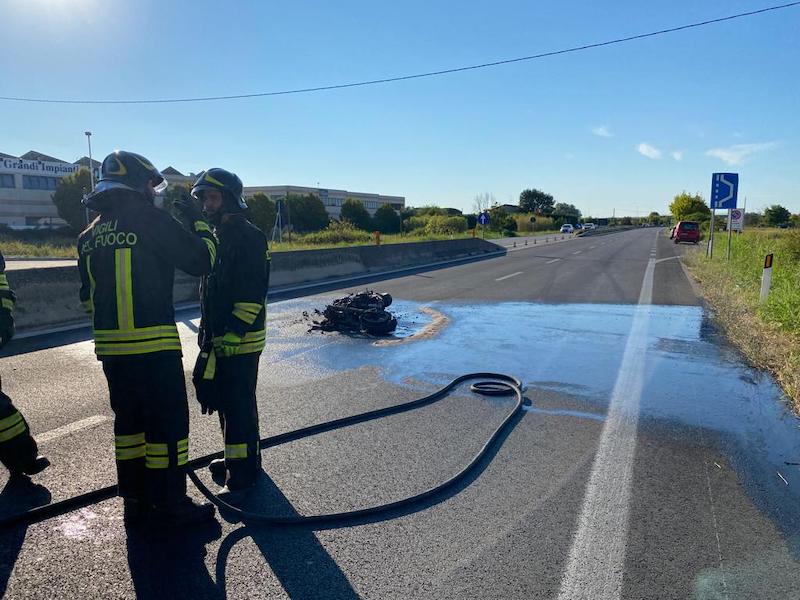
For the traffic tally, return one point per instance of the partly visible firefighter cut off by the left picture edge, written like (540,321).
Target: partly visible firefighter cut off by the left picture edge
(18,450)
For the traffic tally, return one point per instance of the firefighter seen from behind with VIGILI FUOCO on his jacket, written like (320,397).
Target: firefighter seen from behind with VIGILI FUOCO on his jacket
(127,261)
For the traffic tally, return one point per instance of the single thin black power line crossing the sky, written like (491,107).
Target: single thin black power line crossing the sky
(416,75)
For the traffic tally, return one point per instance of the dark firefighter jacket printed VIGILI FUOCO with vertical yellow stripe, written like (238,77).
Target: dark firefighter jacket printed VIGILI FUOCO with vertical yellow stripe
(127,259)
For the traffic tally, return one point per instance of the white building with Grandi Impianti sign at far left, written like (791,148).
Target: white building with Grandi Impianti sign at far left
(27,184)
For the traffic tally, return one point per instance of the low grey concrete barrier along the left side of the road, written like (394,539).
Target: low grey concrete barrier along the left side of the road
(48,297)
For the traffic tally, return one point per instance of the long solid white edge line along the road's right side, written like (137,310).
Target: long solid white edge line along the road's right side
(597,558)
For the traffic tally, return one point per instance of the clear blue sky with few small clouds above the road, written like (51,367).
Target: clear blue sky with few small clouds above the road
(623,127)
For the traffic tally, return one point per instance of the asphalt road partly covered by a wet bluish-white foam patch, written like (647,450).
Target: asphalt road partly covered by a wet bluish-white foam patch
(651,461)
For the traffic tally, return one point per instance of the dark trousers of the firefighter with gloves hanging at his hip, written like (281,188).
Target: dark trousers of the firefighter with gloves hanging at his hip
(238,416)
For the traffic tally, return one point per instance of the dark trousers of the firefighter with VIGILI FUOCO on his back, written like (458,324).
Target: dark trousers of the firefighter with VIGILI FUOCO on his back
(151,425)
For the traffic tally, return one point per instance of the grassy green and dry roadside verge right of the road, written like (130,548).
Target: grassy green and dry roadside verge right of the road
(768,334)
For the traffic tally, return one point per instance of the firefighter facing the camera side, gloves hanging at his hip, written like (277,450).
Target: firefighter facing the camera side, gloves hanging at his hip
(232,329)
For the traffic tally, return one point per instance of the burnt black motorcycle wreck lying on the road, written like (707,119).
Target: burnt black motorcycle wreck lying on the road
(362,312)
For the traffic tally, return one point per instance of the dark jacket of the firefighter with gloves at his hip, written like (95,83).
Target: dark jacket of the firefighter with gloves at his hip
(233,296)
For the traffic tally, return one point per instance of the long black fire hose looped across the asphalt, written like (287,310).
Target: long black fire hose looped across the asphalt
(491,384)
